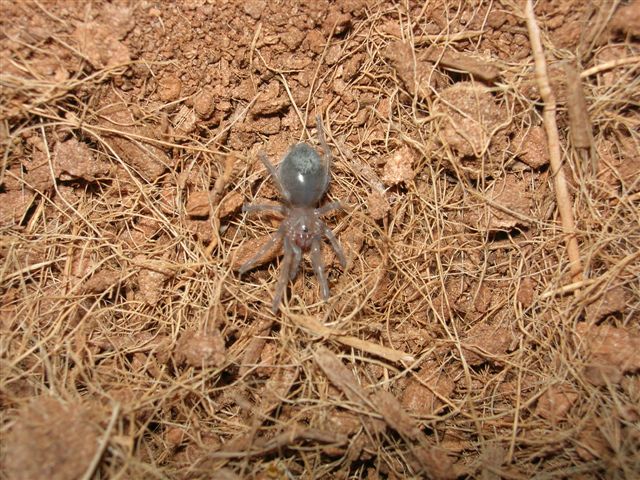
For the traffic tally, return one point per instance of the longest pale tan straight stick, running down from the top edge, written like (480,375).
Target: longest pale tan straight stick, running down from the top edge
(549,114)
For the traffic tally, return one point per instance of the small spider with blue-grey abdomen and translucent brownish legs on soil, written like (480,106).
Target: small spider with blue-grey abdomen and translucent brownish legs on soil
(302,178)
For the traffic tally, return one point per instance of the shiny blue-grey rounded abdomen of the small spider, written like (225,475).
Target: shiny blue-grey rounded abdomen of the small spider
(304,175)
